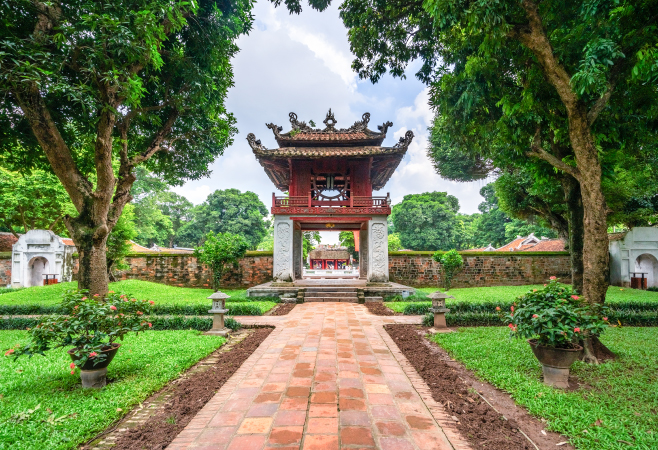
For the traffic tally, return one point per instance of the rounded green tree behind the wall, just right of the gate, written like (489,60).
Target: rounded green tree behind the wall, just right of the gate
(426,221)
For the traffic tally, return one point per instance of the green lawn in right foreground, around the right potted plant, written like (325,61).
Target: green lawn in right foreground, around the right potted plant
(622,395)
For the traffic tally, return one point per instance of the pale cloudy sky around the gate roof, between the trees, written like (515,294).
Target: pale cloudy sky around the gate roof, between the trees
(302,63)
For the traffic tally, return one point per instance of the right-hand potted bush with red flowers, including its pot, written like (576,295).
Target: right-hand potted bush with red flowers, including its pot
(555,320)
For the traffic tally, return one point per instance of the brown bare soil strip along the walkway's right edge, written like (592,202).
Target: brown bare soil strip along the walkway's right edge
(480,421)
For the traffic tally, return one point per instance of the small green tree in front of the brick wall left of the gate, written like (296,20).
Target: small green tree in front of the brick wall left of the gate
(218,251)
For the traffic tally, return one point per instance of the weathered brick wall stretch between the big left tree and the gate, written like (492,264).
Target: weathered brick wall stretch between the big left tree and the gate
(184,270)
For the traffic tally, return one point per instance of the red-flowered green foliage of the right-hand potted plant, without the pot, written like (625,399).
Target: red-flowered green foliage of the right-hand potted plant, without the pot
(555,316)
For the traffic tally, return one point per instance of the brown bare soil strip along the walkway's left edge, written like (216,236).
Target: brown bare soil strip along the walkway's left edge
(175,405)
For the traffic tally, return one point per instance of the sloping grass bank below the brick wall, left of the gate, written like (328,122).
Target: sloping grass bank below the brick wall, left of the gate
(169,297)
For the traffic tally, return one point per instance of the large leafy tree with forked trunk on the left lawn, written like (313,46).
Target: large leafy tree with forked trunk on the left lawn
(93,89)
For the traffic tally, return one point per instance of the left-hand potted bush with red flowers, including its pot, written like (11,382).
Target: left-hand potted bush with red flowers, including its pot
(91,326)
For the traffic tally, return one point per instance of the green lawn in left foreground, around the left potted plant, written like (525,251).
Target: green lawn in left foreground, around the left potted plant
(68,415)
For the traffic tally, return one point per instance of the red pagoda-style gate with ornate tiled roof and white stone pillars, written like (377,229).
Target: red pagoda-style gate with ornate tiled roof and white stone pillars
(330,175)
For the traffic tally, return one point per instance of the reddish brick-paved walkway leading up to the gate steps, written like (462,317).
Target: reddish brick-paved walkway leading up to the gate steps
(327,377)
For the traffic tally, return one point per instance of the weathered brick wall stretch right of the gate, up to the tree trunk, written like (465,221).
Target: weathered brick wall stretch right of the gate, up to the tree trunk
(481,270)
